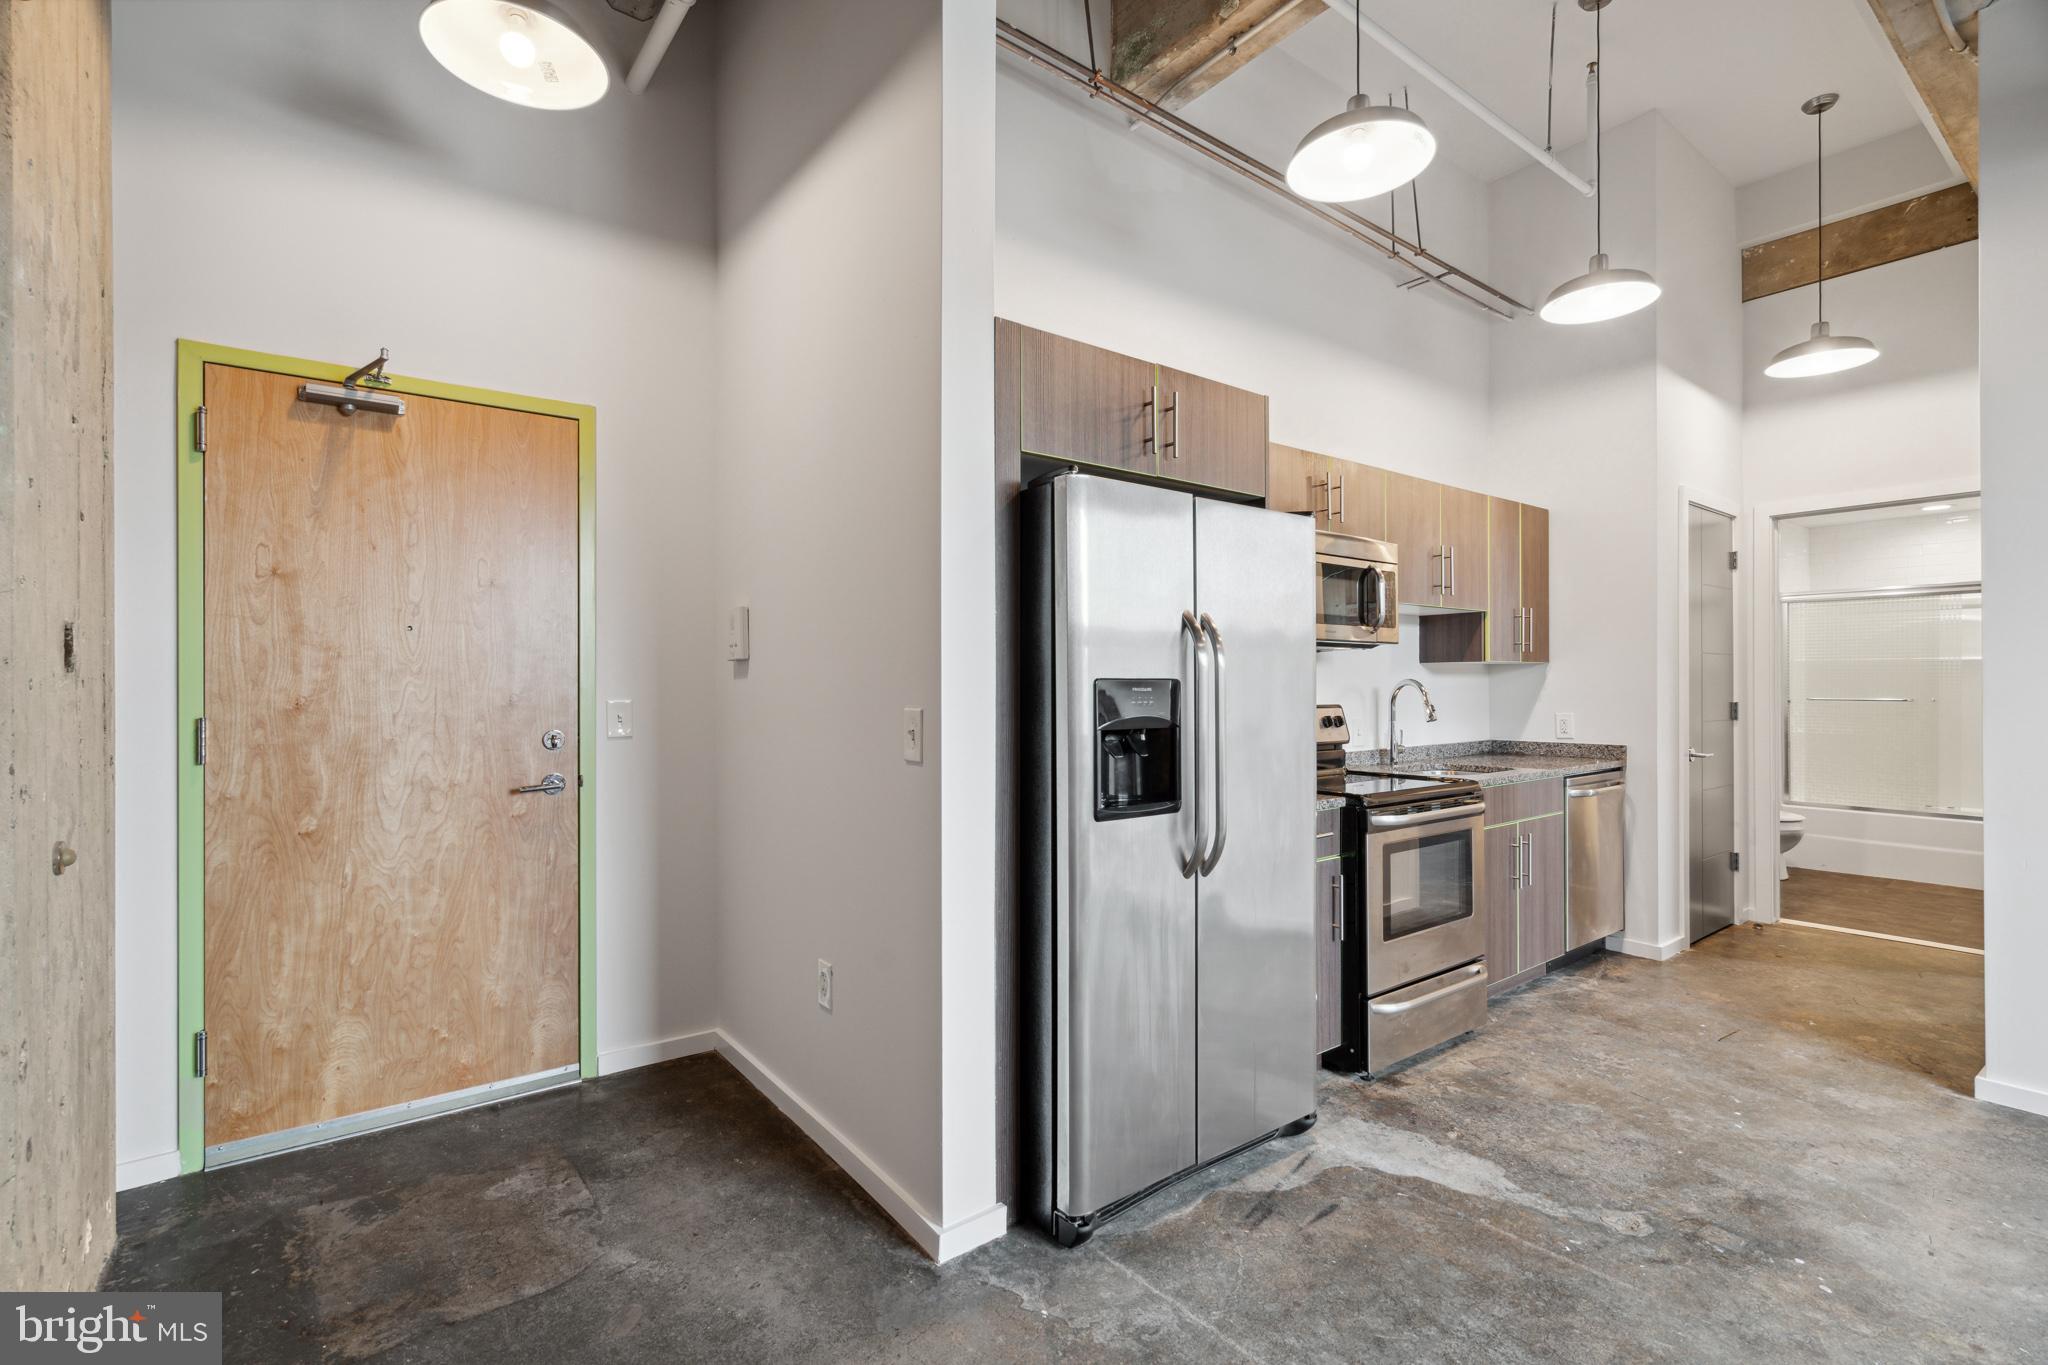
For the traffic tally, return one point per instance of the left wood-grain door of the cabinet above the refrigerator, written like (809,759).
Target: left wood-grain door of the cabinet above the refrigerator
(1086,404)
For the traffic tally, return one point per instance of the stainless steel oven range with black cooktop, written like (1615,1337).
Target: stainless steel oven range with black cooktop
(1418,975)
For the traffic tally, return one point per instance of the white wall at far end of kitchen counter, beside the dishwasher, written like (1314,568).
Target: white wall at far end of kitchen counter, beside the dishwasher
(1605,425)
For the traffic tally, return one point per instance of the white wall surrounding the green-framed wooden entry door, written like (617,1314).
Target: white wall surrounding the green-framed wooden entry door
(304,179)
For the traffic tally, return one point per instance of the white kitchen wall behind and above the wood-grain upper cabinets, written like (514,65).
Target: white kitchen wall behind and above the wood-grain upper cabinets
(1123,240)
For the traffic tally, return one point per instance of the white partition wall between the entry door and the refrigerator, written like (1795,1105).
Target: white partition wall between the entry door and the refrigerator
(849,406)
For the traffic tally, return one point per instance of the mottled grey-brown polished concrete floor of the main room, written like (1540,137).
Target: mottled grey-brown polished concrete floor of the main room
(1756,1151)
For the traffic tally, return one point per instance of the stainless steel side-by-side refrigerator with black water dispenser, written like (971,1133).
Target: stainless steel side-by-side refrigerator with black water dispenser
(1170,768)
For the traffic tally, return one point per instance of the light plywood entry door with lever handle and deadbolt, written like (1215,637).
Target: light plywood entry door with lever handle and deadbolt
(392,629)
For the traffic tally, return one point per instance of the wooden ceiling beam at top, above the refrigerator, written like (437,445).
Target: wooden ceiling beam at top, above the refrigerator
(1175,50)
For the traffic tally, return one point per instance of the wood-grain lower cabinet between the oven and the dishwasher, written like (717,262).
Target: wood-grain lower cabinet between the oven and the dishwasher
(1523,879)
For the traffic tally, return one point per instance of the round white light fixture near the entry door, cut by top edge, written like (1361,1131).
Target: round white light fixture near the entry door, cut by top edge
(529,52)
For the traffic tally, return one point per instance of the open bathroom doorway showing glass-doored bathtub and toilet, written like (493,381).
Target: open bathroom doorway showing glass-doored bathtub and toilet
(1879,687)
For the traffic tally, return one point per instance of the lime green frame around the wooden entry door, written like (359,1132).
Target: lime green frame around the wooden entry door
(194,357)
